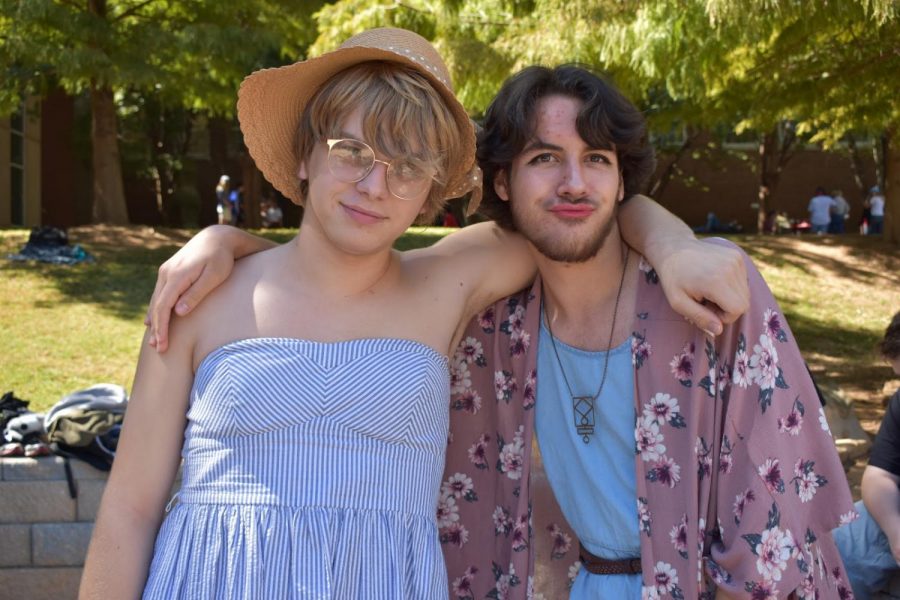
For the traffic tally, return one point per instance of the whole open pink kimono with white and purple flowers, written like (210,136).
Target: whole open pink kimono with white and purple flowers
(738,480)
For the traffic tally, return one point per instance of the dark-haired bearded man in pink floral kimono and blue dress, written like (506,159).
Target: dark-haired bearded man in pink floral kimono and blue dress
(688,466)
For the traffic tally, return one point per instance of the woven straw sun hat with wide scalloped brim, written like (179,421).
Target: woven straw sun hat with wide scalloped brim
(271,102)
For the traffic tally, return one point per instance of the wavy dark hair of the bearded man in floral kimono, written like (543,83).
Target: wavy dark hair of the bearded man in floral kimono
(606,120)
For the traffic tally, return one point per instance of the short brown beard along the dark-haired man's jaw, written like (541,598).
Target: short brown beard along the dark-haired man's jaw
(559,246)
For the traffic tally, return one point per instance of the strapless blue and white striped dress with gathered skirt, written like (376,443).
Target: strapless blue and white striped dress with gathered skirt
(311,470)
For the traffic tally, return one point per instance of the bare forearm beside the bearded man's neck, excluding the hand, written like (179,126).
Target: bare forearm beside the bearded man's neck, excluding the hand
(651,229)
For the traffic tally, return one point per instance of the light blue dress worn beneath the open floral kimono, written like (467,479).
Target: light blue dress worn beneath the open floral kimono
(594,483)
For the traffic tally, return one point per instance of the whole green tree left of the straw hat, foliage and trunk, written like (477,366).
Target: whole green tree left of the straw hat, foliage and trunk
(183,53)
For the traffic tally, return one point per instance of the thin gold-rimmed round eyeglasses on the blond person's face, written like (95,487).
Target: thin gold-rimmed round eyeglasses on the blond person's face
(352,160)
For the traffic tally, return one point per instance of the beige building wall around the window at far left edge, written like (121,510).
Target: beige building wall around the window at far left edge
(31,183)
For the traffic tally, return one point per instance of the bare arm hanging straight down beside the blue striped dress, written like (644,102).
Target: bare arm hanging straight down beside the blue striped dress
(147,460)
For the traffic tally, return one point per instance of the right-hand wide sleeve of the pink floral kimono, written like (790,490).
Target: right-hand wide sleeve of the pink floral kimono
(780,486)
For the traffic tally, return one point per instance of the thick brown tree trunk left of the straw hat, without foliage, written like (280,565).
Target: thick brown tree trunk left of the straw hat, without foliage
(109,192)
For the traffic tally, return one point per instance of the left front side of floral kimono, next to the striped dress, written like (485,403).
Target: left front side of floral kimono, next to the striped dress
(484,517)
